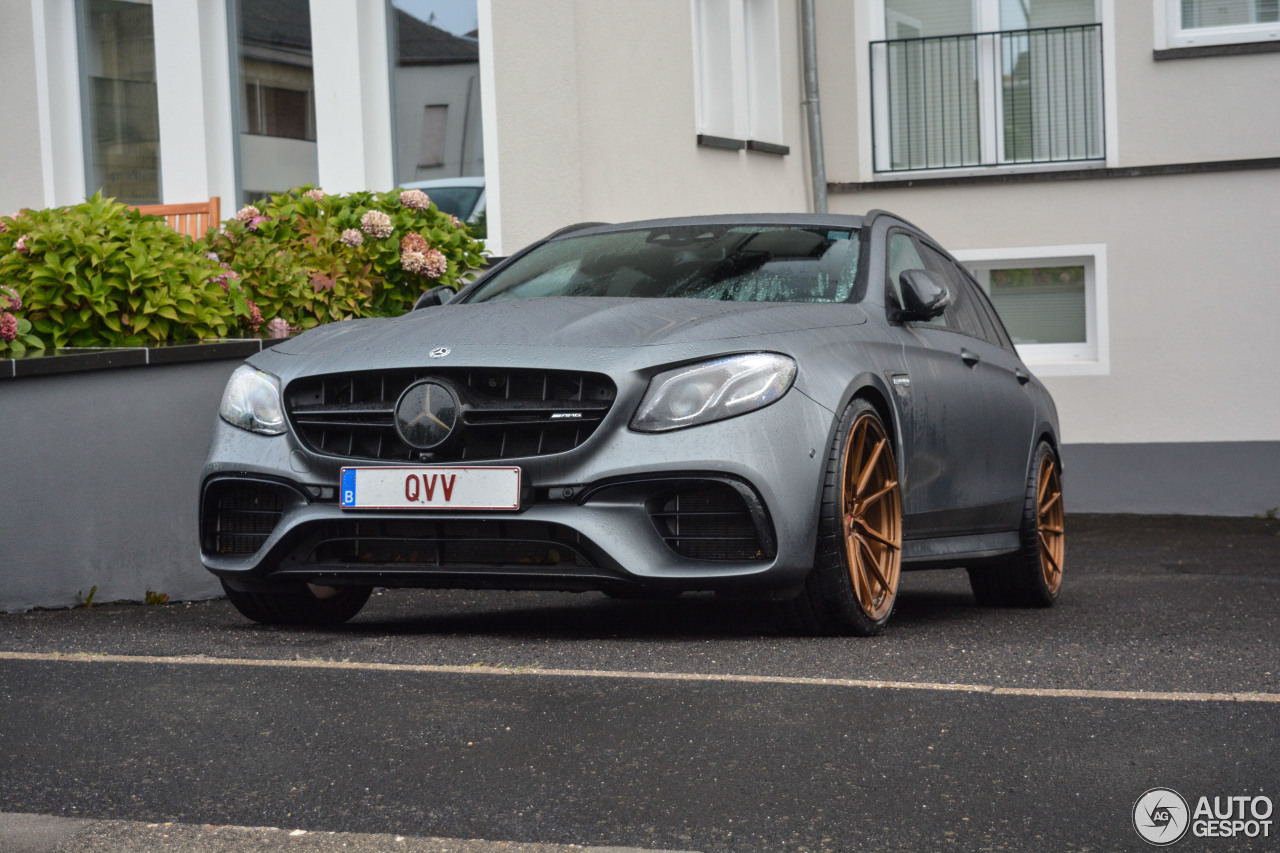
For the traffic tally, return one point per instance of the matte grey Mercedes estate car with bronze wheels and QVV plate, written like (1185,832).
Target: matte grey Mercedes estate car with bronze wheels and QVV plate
(793,408)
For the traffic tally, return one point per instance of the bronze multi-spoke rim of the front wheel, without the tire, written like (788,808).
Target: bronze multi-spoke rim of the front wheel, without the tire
(872,518)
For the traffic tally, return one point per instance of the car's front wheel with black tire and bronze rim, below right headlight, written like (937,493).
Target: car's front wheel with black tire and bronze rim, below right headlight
(853,586)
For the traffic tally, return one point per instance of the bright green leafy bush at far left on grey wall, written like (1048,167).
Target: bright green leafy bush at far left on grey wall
(100,273)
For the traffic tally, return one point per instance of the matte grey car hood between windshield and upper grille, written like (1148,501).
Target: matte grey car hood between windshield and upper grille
(568,322)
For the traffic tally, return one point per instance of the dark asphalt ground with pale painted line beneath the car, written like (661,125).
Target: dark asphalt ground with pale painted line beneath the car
(519,720)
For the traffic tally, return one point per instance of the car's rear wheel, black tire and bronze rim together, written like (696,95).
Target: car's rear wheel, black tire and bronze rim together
(1034,577)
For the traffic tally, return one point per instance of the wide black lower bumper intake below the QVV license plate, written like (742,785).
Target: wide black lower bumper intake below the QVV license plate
(450,544)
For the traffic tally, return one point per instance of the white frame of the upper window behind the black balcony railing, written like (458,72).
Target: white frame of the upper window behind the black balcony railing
(870,26)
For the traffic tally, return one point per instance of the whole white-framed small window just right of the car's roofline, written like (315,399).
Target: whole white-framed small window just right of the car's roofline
(1053,302)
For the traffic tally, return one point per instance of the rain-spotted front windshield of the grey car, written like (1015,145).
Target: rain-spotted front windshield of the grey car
(732,263)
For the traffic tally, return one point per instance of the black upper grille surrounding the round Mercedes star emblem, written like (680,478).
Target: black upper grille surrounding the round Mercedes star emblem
(505,414)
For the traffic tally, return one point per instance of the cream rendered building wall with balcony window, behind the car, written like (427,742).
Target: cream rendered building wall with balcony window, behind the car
(1110,170)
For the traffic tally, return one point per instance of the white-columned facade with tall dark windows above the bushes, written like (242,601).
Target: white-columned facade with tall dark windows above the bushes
(180,101)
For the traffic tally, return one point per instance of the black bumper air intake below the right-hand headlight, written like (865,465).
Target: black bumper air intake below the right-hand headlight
(708,523)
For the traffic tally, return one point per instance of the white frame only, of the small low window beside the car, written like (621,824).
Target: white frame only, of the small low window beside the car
(1094,355)
